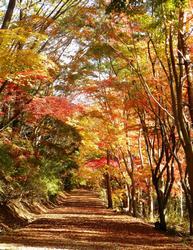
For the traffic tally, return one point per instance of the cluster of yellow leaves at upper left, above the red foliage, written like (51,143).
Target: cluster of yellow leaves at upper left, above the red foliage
(19,52)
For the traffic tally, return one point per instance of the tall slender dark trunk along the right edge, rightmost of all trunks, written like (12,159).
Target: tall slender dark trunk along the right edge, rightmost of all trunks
(184,133)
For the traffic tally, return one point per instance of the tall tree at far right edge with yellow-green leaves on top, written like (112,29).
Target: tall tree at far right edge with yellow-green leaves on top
(172,54)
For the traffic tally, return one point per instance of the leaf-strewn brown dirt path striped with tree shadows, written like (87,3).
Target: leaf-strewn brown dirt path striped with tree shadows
(83,222)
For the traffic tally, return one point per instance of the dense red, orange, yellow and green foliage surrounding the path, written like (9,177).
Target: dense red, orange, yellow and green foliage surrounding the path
(99,94)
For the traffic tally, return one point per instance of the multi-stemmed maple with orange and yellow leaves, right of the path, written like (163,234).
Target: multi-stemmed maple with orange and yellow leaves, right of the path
(120,55)
